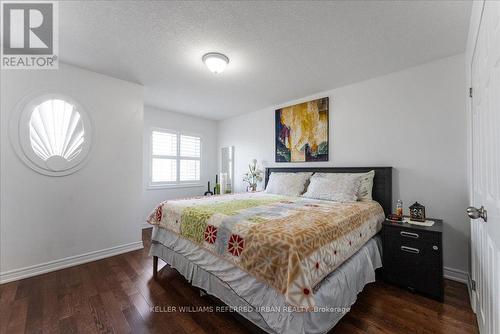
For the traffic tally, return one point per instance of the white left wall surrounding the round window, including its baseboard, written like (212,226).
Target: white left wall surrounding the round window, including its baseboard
(96,210)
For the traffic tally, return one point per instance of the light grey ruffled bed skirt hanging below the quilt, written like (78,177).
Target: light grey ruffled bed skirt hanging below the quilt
(257,301)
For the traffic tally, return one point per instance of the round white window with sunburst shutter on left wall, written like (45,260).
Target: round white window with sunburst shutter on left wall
(54,135)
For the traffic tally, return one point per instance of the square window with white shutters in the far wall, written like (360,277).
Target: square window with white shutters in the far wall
(175,158)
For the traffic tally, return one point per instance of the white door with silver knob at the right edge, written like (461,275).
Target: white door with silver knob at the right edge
(485,169)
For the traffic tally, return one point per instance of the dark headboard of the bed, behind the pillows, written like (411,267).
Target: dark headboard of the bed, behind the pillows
(382,182)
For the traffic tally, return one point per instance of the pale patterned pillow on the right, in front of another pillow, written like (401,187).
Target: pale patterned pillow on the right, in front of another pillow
(338,187)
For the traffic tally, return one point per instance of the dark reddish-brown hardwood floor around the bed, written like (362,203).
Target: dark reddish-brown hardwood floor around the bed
(114,295)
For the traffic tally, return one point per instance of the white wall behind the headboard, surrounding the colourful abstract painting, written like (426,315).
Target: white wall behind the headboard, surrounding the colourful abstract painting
(412,120)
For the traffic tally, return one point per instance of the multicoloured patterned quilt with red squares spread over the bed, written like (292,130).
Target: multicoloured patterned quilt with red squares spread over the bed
(291,243)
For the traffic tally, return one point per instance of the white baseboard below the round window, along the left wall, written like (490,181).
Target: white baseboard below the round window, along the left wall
(38,269)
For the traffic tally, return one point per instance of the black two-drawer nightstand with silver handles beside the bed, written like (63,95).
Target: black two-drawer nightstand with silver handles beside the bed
(413,257)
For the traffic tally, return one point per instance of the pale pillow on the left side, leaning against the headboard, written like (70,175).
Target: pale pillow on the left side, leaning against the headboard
(288,184)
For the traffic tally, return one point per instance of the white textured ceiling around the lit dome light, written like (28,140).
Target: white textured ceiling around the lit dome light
(279,51)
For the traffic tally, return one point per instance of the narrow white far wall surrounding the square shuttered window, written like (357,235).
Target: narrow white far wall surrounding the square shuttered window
(207,129)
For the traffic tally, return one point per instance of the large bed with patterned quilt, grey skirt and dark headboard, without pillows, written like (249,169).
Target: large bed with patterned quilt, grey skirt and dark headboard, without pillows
(287,264)
